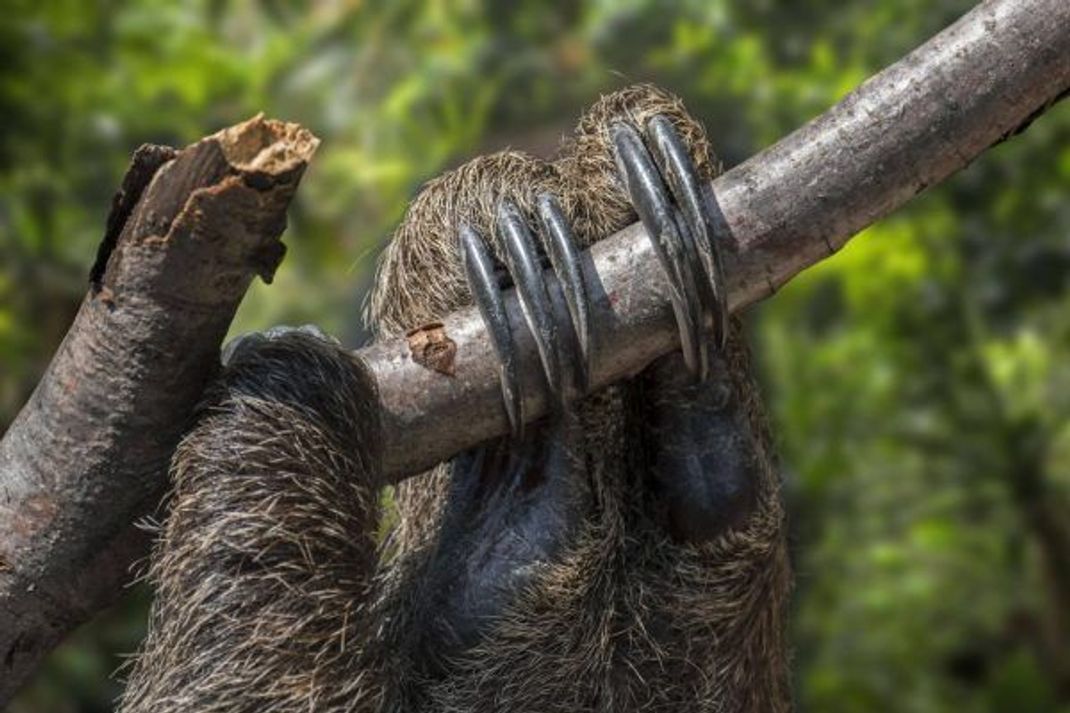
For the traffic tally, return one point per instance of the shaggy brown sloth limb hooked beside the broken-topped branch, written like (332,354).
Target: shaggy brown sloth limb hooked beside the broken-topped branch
(265,567)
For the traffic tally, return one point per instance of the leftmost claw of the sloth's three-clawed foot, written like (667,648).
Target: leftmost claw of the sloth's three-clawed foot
(487,295)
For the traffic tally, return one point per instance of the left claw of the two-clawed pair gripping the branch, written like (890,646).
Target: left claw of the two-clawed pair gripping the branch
(672,245)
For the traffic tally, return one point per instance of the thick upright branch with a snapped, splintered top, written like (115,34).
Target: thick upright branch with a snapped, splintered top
(89,453)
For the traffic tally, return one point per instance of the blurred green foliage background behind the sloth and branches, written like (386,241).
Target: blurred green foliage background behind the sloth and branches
(920,382)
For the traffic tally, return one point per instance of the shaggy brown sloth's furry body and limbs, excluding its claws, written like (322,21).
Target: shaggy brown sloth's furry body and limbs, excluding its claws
(626,554)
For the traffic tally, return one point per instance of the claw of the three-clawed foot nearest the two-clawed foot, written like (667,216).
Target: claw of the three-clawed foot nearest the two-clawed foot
(565,261)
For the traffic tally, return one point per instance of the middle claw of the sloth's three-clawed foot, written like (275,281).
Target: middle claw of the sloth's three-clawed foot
(524,265)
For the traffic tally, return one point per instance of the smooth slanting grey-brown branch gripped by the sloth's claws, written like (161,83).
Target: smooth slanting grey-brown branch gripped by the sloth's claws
(791,206)
